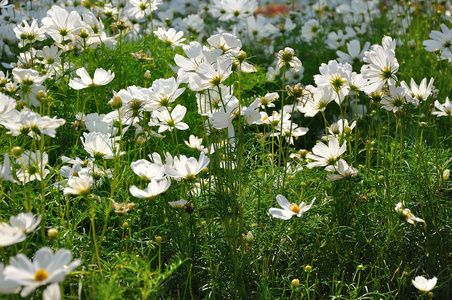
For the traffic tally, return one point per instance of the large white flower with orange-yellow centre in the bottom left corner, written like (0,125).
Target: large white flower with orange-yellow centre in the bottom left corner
(46,268)
